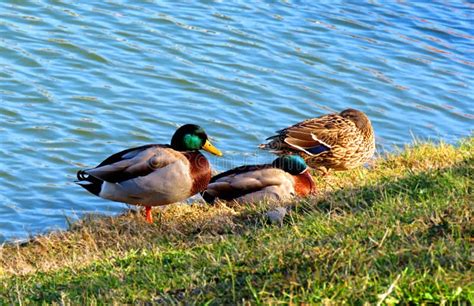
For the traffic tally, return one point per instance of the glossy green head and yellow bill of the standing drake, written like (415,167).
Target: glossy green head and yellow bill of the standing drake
(191,137)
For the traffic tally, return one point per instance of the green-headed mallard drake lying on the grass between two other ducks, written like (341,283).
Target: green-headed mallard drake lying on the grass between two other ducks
(286,177)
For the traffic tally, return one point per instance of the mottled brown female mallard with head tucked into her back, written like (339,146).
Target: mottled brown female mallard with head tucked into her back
(336,141)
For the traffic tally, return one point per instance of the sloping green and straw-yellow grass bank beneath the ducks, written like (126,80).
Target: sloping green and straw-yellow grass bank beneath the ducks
(400,231)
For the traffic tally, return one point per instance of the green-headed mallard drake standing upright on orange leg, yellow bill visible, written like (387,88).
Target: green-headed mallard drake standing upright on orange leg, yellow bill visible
(154,174)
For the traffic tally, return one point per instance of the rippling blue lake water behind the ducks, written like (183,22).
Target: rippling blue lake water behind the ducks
(81,81)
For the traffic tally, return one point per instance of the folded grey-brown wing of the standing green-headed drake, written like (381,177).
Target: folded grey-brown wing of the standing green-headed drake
(129,164)
